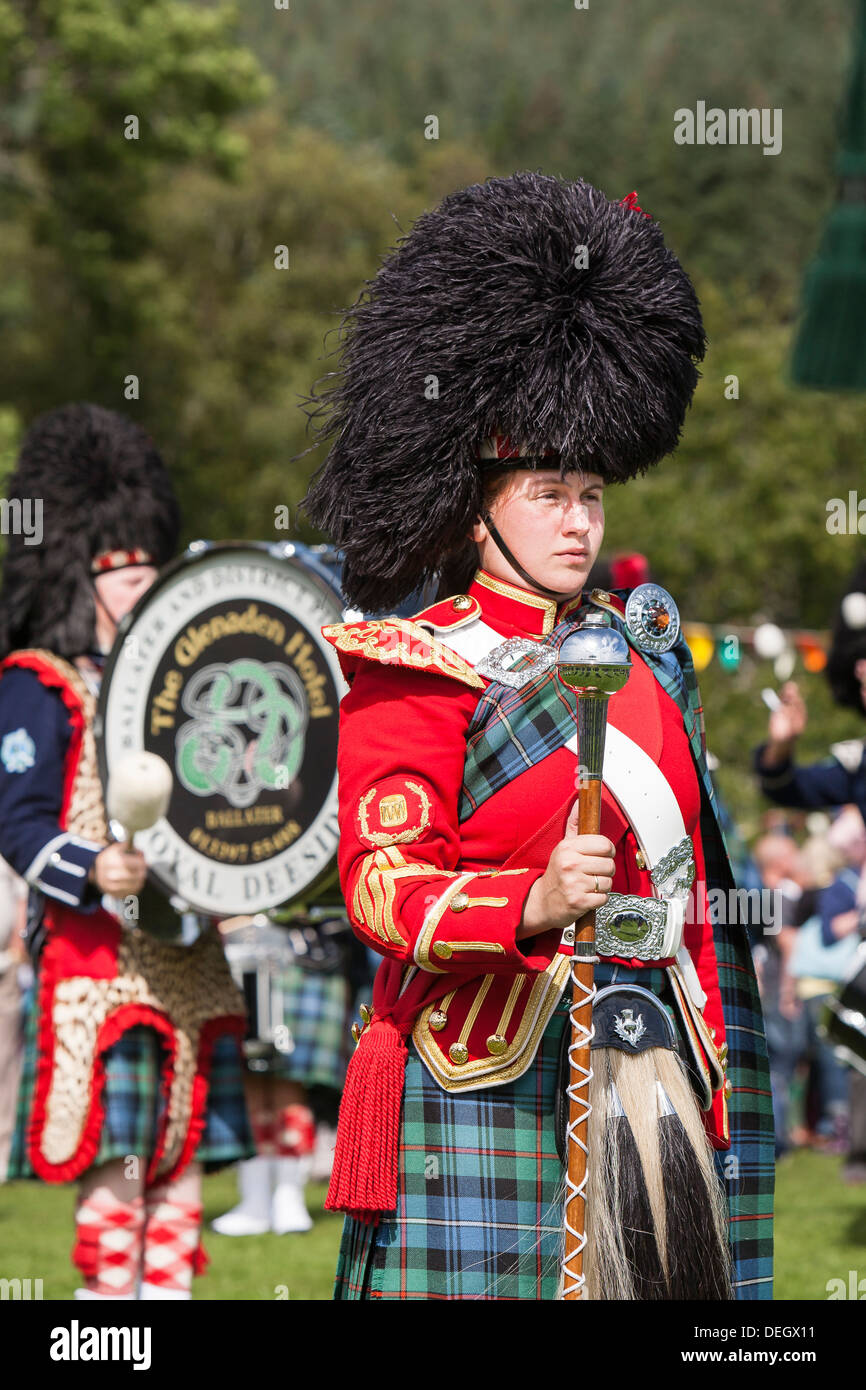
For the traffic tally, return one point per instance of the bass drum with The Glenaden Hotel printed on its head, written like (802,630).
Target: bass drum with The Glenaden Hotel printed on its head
(223,672)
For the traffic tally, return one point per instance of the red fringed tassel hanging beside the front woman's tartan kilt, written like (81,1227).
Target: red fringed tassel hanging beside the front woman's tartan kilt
(365,1175)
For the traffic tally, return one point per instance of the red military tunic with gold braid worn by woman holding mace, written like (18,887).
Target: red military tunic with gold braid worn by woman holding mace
(443,899)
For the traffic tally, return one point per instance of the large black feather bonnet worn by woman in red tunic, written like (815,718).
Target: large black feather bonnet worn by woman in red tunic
(532,308)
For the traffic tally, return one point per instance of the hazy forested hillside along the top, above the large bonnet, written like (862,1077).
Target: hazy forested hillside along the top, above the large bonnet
(593,92)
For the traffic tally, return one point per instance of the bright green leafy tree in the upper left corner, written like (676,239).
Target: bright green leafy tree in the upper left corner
(97,105)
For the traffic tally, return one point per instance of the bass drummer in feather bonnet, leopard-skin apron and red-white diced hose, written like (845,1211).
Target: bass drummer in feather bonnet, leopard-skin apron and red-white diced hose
(131,1078)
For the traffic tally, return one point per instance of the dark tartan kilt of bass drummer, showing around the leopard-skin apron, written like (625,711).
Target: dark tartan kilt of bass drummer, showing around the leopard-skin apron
(134,1103)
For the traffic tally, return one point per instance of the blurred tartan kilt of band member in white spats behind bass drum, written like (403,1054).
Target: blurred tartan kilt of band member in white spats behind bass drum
(316,1011)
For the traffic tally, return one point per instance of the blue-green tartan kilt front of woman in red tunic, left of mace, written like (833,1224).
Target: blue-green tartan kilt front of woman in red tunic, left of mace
(479,1210)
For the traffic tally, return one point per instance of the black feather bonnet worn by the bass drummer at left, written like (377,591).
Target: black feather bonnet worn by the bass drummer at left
(97,483)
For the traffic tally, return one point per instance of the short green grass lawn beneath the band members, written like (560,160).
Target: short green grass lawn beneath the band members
(821,1235)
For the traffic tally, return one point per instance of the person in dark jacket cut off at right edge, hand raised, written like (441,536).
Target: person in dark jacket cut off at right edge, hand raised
(839,780)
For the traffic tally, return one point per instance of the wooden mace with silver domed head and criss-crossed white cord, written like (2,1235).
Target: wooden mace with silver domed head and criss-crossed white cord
(594,662)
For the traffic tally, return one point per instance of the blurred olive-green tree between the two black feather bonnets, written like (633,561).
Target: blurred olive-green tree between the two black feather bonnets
(236,337)
